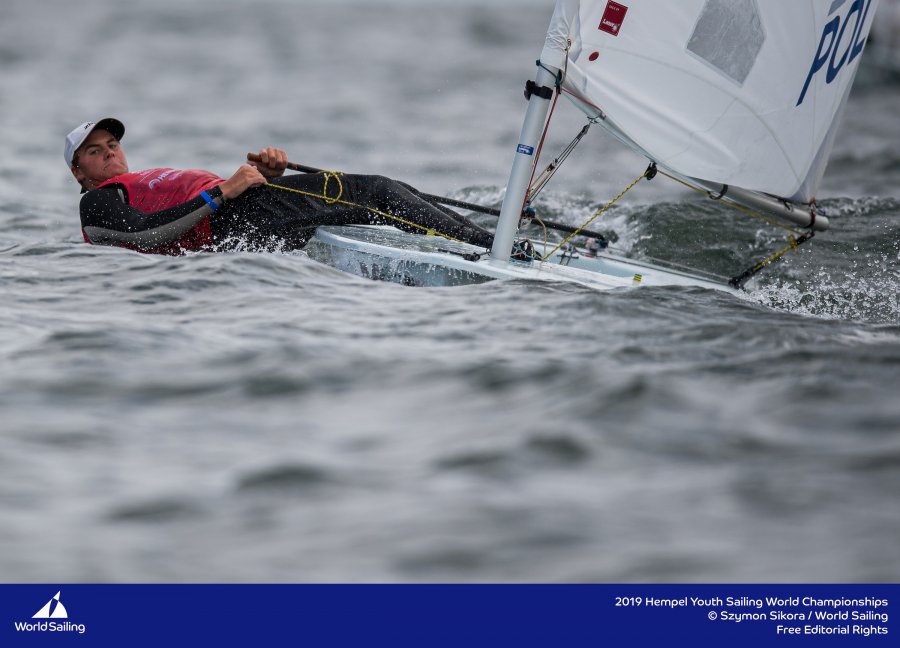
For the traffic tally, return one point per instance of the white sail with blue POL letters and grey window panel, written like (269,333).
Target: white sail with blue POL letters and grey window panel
(745,93)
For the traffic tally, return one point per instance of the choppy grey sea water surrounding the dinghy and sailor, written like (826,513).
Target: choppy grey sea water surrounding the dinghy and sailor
(258,417)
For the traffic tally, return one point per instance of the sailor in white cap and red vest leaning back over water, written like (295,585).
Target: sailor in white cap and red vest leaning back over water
(170,211)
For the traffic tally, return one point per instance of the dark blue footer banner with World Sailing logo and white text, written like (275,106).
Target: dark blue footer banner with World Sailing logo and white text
(448,615)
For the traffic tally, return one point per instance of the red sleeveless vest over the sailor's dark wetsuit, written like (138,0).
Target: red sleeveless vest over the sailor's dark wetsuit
(157,189)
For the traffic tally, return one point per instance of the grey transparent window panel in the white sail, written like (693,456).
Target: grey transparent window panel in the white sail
(729,36)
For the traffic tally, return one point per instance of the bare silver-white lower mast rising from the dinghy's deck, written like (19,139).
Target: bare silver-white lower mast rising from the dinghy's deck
(539,96)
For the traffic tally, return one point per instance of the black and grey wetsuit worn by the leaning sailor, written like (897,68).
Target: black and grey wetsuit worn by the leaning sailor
(268,217)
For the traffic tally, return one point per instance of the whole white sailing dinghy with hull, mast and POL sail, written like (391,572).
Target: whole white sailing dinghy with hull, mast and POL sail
(737,99)
